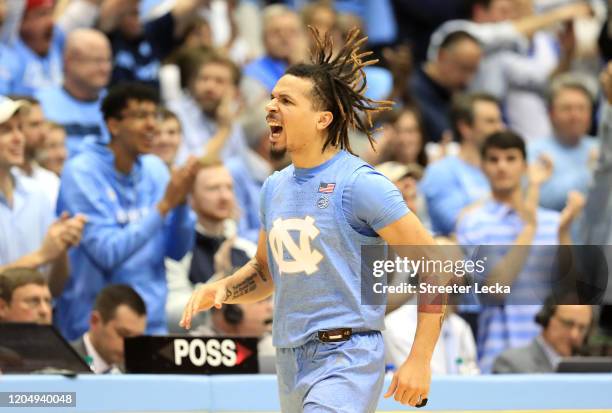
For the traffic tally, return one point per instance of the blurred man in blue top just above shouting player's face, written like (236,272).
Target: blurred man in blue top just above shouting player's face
(285,44)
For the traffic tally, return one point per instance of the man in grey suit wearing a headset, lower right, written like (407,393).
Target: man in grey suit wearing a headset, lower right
(564,331)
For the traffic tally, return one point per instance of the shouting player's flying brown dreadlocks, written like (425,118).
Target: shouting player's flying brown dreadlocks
(339,86)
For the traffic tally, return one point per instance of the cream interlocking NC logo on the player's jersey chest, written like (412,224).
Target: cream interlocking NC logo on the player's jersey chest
(304,258)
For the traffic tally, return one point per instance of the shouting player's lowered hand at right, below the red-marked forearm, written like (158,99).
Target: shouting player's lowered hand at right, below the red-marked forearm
(410,384)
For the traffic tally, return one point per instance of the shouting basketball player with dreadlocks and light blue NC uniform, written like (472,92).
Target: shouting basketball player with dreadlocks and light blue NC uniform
(316,214)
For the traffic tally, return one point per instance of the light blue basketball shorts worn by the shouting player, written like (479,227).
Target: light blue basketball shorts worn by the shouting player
(346,376)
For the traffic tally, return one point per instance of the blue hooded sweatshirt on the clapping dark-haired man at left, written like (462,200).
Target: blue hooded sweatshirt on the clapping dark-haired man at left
(125,239)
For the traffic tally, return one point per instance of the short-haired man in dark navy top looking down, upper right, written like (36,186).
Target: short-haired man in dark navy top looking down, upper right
(448,72)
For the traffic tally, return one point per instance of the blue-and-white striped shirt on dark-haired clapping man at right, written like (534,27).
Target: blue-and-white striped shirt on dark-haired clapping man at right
(507,326)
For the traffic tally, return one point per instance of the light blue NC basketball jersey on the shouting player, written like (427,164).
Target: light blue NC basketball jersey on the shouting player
(314,250)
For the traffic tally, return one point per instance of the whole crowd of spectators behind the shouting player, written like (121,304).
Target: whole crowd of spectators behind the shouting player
(133,147)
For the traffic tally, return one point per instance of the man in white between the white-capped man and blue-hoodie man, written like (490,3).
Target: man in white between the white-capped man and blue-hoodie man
(33,129)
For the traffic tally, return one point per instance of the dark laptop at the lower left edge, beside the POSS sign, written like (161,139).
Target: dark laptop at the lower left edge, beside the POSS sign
(35,348)
